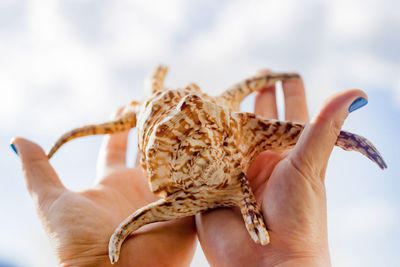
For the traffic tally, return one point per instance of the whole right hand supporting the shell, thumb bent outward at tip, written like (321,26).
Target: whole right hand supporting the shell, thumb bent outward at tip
(289,188)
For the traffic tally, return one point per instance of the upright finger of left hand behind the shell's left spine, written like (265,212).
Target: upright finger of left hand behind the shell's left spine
(113,149)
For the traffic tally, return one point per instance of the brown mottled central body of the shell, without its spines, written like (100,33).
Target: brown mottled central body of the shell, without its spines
(190,146)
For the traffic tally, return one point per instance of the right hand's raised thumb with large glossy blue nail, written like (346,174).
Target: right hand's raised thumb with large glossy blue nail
(315,145)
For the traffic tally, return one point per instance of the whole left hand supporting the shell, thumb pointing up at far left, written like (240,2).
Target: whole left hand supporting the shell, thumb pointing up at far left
(79,224)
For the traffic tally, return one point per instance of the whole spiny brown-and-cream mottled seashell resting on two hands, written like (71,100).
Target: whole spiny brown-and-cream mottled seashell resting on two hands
(195,150)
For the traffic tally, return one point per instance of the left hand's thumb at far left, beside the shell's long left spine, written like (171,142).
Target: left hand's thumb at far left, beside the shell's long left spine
(41,179)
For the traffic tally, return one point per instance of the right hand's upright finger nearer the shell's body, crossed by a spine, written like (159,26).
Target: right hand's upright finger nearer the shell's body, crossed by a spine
(265,102)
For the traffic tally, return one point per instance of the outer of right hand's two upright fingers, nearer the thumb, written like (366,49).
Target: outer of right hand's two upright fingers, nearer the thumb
(295,100)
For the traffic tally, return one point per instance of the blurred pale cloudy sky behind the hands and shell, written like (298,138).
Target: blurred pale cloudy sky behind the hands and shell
(66,63)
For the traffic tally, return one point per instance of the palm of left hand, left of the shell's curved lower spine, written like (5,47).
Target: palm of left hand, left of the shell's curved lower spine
(84,221)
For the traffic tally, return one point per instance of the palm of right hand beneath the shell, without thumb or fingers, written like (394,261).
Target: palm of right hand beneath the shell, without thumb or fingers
(282,193)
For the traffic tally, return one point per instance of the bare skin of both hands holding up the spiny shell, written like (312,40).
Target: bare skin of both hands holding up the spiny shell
(289,186)
